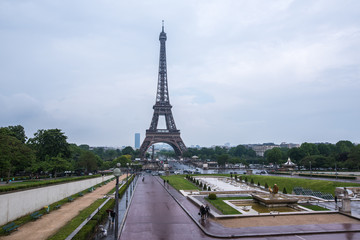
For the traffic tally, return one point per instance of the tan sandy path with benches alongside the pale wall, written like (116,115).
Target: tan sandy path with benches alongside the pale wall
(50,223)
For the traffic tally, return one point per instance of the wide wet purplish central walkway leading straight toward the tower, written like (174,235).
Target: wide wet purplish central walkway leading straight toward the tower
(154,214)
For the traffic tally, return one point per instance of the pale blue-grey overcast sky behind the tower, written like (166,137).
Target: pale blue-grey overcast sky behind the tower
(239,71)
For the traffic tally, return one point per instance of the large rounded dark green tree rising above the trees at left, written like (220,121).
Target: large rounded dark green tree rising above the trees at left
(50,143)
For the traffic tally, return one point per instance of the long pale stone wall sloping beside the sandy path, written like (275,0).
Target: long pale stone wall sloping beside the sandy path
(17,204)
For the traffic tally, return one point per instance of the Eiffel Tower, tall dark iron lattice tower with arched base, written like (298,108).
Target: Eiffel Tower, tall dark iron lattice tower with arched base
(162,107)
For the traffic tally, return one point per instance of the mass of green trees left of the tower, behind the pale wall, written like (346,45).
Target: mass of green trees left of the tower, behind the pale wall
(48,152)
